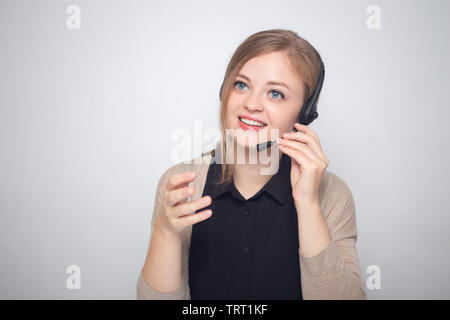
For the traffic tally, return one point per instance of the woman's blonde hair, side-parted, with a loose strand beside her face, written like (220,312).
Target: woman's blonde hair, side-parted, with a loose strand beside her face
(303,58)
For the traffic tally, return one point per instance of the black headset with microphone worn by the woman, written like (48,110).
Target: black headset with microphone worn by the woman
(308,112)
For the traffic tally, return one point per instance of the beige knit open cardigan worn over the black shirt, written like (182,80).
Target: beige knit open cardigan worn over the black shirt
(334,273)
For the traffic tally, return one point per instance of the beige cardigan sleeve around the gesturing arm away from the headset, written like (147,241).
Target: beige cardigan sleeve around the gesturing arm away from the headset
(143,290)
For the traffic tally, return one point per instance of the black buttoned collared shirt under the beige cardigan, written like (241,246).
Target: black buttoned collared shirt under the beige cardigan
(247,249)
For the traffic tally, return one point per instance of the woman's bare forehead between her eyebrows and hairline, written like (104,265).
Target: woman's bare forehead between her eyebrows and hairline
(273,66)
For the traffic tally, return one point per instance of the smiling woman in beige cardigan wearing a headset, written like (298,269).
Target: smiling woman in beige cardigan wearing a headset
(248,235)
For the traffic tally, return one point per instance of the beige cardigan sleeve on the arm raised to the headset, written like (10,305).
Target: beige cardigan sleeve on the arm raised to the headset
(334,273)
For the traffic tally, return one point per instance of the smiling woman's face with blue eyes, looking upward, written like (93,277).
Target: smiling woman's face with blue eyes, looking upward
(267,90)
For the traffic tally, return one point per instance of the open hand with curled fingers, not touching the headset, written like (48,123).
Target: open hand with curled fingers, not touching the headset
(176,213)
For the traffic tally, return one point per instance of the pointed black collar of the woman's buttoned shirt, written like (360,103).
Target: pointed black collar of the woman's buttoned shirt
(278,186)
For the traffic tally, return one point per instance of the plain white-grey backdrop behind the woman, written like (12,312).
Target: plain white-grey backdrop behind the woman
(86,118)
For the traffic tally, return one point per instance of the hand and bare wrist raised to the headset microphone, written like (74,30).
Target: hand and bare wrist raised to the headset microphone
(308,163)
